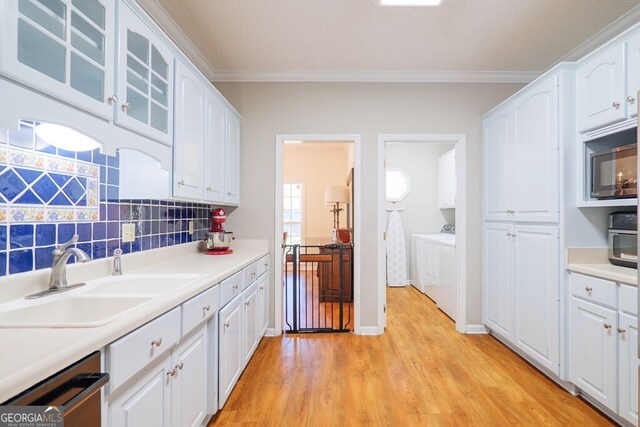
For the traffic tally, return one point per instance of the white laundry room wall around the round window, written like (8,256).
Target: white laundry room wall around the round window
(420,214)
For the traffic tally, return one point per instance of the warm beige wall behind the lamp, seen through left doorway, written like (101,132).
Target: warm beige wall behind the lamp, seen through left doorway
(316,165)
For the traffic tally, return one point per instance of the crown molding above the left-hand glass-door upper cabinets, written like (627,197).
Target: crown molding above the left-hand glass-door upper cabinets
(179,38)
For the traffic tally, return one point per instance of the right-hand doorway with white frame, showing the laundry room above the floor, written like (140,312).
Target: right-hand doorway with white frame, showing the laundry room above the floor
(421,201)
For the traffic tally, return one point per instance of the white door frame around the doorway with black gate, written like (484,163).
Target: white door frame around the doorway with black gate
(357,204)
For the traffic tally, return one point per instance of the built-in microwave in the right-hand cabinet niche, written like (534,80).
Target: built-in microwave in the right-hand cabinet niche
(614,174)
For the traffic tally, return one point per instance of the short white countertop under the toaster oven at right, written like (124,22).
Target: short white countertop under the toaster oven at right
(595,262)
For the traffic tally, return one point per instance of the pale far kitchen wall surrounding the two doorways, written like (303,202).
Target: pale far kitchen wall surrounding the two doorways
(367,109)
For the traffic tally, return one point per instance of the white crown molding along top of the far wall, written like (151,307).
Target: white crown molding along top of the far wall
(376,76)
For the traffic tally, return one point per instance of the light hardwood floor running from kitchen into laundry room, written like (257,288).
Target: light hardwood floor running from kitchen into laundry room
(420,372)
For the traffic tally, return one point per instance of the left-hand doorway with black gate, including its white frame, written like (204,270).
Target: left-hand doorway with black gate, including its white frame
(317,227)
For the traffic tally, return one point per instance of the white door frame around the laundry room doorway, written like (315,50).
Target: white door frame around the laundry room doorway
(460,141)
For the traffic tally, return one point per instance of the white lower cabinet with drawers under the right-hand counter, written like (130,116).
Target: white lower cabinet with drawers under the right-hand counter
(603,343)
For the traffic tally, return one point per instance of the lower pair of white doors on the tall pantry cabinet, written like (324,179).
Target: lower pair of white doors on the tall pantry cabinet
(522,288)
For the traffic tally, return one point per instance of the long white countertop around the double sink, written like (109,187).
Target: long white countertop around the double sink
(30,355)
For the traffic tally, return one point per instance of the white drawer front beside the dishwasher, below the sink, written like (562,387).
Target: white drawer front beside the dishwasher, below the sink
(134,351)
